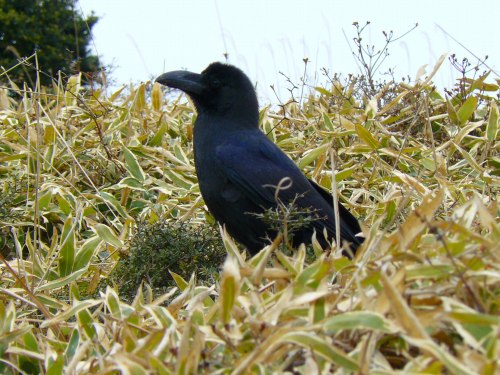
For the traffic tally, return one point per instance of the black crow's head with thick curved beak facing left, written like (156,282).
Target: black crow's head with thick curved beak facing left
(220,89)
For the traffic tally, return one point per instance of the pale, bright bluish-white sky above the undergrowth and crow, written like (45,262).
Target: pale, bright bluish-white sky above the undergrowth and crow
(143,39)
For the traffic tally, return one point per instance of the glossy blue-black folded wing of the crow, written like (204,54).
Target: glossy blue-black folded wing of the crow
(255,166)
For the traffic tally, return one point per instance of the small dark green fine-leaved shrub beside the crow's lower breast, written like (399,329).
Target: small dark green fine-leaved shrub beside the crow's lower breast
(182,248)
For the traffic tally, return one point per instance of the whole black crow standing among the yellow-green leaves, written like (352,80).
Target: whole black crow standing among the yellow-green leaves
(239,169)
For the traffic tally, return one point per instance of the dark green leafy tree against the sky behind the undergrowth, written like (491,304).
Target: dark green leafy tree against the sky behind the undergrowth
(52,28)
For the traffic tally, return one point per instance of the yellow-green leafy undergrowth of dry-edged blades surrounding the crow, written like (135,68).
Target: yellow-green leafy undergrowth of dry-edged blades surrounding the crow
(421,170)
